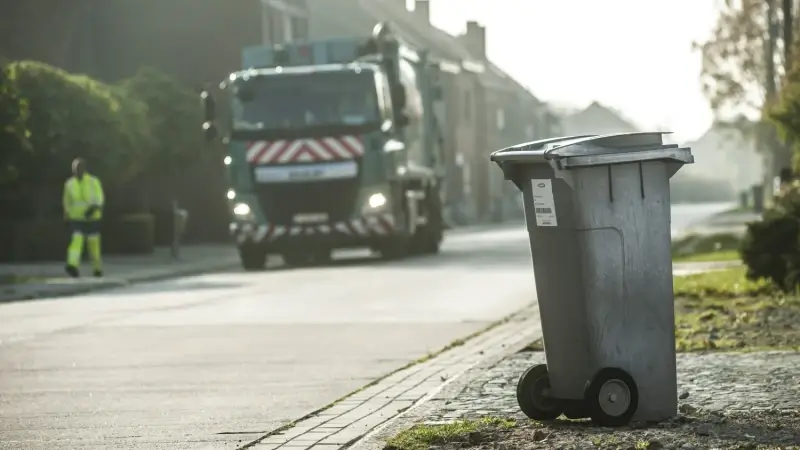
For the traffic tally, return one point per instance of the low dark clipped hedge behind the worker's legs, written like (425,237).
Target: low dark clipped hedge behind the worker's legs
(47,240)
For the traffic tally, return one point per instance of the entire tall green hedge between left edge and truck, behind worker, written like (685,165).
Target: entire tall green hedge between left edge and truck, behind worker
(141,136)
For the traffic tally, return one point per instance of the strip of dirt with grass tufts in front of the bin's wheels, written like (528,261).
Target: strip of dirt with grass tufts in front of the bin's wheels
(691,430)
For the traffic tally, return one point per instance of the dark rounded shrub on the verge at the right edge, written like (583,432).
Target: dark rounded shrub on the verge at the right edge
(771,247)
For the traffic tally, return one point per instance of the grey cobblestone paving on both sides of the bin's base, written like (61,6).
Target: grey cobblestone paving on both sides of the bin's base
(726,382)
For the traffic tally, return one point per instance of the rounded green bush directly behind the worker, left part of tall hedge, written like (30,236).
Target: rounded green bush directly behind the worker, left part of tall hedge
(70,116)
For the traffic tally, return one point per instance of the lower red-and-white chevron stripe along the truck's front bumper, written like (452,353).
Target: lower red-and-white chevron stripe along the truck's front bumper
(378,225)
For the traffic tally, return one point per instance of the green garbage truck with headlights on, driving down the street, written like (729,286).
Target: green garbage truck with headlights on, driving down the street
(331,144)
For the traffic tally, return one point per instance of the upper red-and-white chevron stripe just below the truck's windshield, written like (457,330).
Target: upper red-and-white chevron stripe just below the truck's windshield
(337,148)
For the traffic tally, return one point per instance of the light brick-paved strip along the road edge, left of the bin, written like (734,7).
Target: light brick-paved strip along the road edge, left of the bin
(353,417)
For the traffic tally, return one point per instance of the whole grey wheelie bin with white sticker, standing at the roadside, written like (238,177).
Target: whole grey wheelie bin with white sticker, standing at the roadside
(598,215)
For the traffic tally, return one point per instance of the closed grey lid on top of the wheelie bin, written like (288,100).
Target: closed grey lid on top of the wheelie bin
(594,150)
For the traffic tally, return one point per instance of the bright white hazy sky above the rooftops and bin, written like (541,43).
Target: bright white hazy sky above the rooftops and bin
(633,55)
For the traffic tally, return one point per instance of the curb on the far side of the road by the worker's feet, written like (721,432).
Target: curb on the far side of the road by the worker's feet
(71,290)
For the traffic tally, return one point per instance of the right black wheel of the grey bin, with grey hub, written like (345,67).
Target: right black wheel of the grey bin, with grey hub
(612,398)
